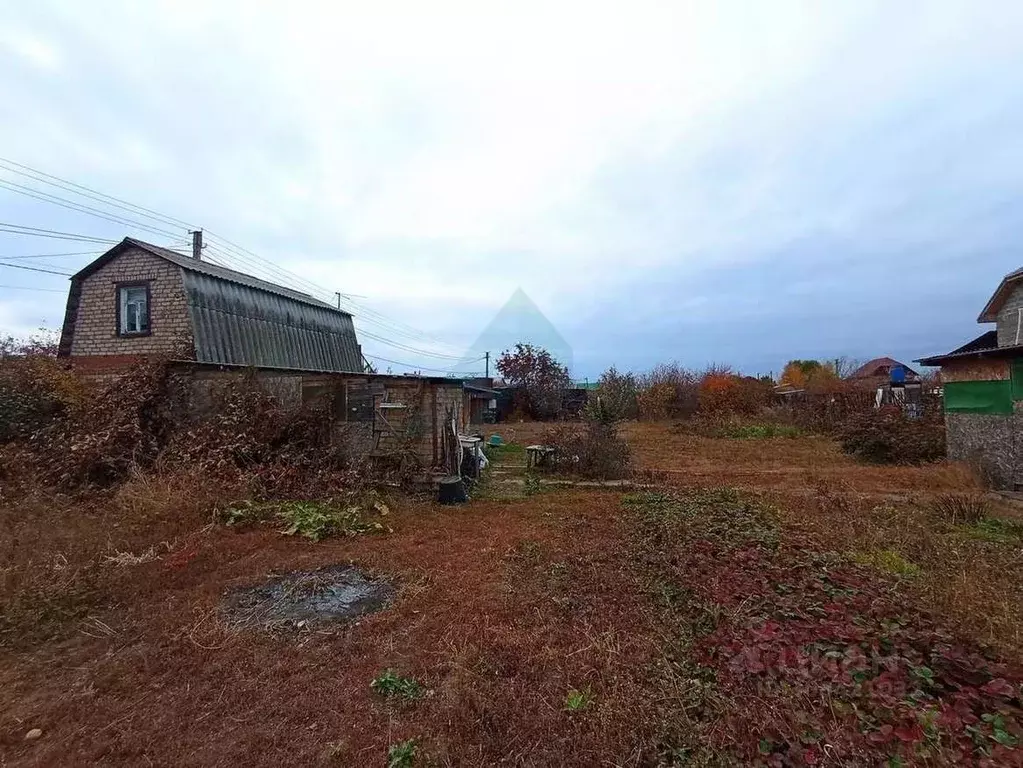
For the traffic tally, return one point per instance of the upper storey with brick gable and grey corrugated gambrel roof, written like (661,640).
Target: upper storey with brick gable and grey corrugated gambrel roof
(139,300)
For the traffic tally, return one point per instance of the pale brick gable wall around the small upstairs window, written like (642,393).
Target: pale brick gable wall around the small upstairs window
(96,323)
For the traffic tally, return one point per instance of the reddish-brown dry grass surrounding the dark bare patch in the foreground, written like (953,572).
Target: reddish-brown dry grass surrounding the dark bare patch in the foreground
(503,610)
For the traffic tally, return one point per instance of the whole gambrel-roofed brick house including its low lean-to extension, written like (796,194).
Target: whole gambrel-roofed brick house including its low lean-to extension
(214,324)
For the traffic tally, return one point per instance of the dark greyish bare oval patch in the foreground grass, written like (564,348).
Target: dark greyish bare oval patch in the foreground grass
(307,599)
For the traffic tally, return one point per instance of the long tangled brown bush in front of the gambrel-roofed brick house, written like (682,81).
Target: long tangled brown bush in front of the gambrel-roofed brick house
(59,430)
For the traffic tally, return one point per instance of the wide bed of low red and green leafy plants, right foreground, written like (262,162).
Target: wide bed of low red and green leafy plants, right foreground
(815,661)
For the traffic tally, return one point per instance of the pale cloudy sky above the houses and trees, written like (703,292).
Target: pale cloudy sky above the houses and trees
(739,184)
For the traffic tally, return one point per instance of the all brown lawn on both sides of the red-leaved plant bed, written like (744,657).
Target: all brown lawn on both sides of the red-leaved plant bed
(504,608)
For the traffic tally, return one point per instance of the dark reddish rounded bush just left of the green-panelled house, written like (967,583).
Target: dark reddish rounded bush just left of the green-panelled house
(888,437)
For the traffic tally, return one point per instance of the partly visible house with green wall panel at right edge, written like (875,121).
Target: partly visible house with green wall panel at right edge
(983,383)
